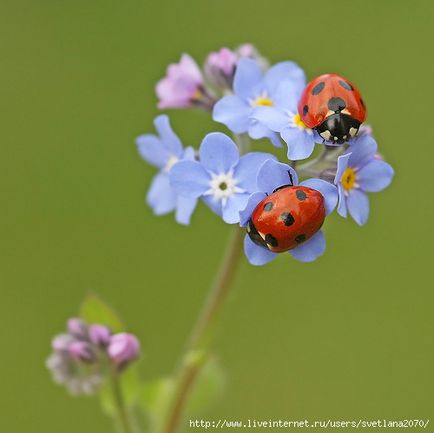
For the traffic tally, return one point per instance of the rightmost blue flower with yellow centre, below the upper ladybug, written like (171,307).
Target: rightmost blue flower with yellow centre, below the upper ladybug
(360,170)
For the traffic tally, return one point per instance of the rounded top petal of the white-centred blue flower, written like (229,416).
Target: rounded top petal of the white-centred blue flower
(218,153)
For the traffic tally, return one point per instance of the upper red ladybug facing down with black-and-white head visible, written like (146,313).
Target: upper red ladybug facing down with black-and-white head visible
(332,106)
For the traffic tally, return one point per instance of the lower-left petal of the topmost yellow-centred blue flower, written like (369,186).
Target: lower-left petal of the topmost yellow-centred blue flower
(232,112)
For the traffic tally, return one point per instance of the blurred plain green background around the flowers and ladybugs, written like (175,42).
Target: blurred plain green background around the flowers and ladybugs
(350,336)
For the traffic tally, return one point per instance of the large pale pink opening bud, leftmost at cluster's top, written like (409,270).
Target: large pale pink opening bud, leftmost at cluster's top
(183,86)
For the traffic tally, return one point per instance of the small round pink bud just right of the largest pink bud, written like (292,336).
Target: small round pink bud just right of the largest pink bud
(220,67)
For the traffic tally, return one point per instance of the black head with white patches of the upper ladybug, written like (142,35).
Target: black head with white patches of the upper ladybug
(338,128)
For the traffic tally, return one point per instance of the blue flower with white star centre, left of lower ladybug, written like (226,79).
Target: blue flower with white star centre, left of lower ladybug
(222,178)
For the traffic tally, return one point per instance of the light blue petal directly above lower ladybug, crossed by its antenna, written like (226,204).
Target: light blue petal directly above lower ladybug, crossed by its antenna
(273,175)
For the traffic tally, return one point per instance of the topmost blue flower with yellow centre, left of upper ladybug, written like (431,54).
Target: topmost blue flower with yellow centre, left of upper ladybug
(253,89)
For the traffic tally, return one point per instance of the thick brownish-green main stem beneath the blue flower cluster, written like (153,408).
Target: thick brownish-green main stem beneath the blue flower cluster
(195,353)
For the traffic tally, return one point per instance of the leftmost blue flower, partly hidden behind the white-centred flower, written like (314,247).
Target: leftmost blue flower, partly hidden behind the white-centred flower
(164,151)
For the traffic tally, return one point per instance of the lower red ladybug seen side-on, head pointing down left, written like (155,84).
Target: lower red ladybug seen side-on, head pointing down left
(287,218)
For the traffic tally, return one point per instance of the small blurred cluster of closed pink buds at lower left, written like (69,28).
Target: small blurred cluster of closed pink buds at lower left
(81,355)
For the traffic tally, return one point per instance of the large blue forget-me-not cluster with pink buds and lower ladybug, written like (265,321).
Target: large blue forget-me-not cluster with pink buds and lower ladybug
(256,101)
